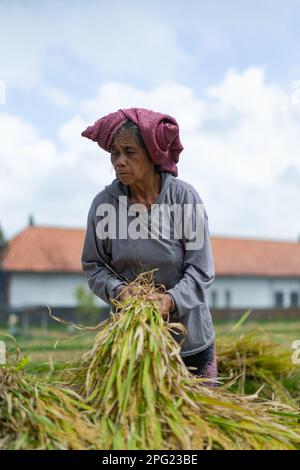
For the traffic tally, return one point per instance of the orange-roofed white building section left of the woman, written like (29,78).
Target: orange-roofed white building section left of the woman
(42,267)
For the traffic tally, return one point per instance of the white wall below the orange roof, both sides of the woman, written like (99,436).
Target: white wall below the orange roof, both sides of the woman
(59,290)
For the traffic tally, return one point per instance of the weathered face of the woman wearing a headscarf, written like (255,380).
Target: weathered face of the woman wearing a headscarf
(130,161)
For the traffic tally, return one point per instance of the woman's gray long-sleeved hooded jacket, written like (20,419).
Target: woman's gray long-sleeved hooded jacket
(185,273)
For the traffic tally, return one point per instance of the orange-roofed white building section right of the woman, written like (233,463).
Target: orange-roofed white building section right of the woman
(253,273)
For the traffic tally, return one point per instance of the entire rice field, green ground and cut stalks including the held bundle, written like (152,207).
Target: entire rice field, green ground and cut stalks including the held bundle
(125,386)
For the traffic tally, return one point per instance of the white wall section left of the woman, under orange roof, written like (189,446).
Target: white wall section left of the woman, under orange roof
(46,289)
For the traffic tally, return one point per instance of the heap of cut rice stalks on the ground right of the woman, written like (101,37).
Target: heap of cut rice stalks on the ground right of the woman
(256,359)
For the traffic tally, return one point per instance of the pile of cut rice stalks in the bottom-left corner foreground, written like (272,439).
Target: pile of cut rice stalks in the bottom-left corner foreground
(35,415)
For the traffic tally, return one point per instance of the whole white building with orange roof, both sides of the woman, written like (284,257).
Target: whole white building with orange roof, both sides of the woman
(42,267)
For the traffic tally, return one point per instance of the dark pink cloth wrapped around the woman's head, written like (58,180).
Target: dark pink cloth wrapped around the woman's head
(160,134)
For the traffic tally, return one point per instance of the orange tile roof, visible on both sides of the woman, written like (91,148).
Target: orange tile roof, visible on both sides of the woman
(52,249)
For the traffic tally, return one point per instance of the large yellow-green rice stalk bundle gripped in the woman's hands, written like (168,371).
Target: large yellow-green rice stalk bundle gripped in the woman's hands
(146,398)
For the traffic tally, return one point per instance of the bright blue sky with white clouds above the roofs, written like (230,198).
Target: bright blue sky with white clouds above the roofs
(228,71)
